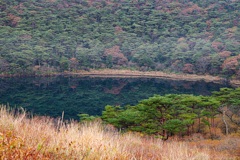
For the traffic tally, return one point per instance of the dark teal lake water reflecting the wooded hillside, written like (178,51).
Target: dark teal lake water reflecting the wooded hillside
(52,95)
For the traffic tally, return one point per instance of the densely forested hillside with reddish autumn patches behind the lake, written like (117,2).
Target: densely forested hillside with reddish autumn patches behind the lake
(183,36)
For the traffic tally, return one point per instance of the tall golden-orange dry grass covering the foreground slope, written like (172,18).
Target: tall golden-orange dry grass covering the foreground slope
(44,138)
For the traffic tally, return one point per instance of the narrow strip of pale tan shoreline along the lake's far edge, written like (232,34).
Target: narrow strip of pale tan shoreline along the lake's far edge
(112,73)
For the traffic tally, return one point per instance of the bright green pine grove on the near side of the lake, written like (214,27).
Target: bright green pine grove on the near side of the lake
(178,114)
